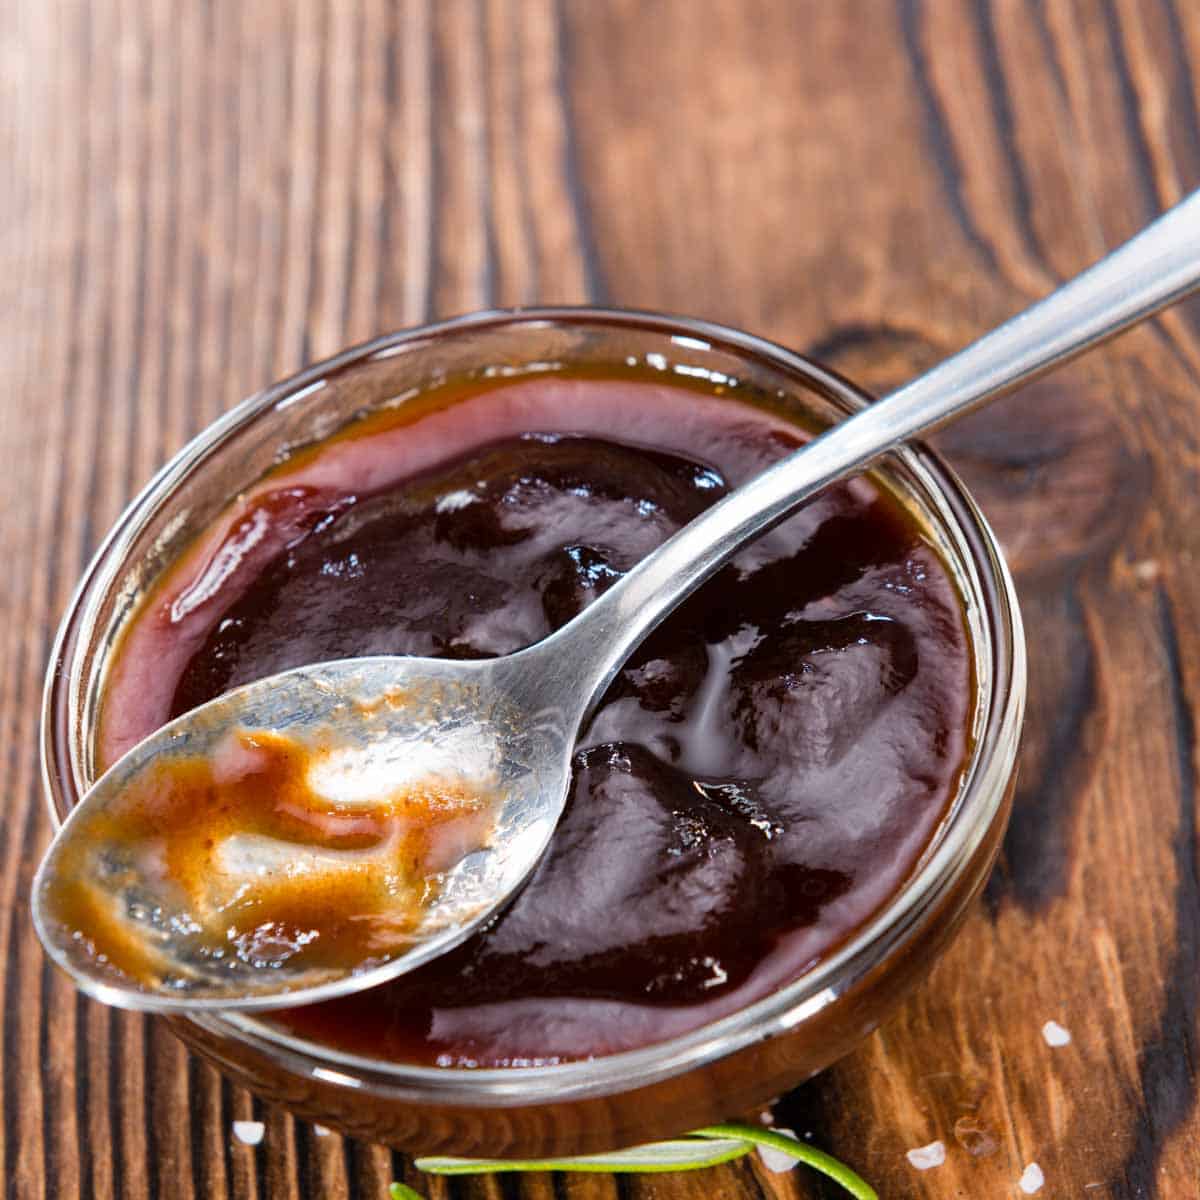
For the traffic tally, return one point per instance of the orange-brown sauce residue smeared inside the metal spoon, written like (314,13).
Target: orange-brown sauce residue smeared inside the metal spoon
(260,857)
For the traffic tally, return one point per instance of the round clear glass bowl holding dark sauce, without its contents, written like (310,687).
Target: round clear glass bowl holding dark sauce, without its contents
(725,1069)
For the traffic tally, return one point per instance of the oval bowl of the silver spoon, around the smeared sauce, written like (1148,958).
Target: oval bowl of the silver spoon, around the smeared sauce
(368,729)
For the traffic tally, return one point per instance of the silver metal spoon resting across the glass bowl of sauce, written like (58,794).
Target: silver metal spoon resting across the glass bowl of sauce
(511,724)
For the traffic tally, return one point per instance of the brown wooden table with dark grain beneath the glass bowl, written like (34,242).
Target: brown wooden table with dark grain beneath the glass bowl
(197,199)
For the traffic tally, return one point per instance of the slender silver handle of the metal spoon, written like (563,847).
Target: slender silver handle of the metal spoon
(1154,269)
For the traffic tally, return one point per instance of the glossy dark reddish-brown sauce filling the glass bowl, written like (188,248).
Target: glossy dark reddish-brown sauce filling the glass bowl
(760,779)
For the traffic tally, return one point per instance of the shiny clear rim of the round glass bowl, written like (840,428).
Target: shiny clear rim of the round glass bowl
(980,805)
